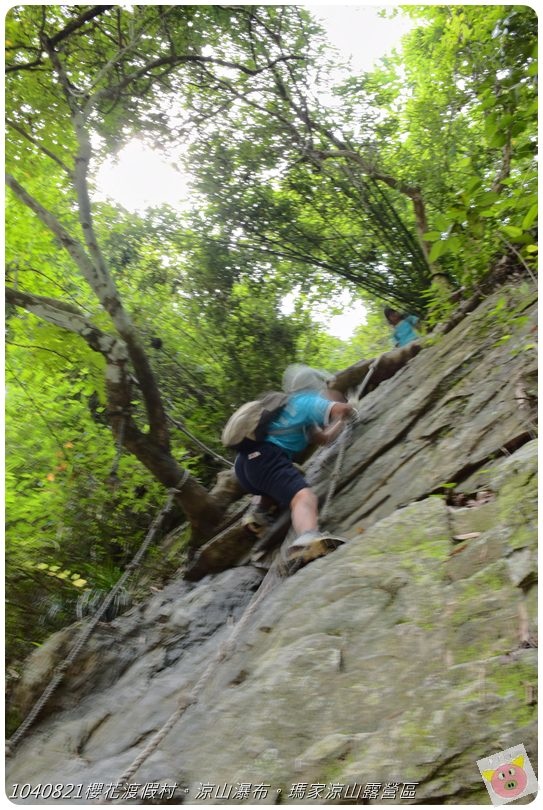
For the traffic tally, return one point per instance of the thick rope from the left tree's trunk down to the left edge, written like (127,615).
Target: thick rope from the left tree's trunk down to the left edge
(60,670)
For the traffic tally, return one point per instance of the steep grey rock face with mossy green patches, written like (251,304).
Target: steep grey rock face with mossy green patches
(378,674)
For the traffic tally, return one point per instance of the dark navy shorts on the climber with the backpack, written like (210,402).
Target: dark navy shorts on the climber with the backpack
(263,468)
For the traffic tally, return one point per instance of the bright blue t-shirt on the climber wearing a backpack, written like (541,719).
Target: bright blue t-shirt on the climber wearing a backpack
(304,410)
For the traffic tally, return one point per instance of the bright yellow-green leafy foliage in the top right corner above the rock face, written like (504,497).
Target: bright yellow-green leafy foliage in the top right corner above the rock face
(466,117)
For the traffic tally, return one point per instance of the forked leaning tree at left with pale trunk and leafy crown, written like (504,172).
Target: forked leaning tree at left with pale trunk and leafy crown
(75,75)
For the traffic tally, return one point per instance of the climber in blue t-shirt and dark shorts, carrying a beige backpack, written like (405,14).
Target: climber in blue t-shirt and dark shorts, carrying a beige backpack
(266,467)
